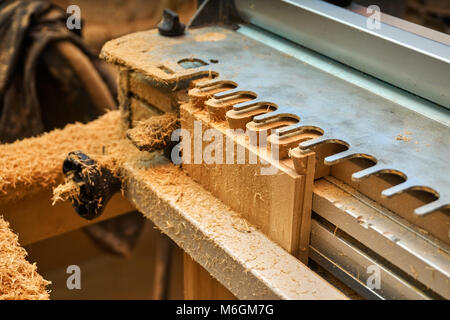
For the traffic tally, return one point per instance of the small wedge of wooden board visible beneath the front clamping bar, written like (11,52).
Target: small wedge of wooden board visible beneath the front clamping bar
(200,285)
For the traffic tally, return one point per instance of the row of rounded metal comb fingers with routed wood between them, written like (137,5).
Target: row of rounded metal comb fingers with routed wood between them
(282,130)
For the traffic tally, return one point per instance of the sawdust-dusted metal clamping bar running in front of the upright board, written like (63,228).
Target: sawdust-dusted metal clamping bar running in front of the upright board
(243,259)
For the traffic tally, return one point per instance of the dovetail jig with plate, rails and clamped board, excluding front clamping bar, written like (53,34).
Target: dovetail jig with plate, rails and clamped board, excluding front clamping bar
(357,124)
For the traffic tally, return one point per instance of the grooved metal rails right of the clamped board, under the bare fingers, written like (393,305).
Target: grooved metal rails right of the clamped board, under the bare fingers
(373,227)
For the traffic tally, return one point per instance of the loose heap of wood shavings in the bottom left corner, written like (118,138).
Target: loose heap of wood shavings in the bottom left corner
(19,279)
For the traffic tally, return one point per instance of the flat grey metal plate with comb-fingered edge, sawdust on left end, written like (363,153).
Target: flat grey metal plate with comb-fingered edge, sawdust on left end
(397,139)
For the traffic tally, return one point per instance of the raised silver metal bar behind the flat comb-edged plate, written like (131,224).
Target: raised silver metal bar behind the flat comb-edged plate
(402,58)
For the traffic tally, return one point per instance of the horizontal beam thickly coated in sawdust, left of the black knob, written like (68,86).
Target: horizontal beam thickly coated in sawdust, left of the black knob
(33,164)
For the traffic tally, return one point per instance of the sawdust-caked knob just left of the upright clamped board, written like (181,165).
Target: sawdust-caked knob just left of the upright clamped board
(155,133)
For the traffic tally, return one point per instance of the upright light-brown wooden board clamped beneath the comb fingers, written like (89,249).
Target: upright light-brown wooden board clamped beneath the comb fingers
(273,203)
